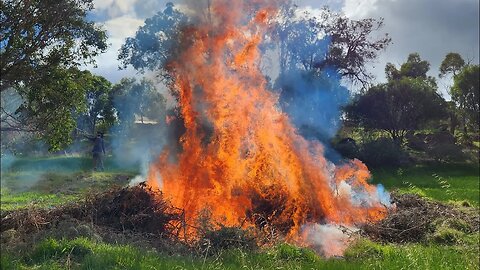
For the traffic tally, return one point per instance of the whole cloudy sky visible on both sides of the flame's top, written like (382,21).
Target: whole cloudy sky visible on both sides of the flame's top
(432,28)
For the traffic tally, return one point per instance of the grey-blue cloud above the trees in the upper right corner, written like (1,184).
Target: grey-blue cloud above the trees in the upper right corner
(430,27)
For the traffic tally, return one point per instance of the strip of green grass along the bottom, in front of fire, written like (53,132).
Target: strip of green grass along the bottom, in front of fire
(82,253)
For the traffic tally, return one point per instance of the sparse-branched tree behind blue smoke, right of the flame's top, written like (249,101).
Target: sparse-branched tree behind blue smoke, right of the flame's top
(329,41)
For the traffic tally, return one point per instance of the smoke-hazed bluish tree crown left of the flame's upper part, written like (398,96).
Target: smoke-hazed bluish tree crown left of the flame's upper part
(154,42)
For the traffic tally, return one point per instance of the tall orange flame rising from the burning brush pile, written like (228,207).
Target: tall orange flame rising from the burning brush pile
(240,152)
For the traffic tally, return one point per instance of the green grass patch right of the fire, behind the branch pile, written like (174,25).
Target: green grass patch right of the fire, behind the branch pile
(447,182)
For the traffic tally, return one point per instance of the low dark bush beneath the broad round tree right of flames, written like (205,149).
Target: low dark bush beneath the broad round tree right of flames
(383,152)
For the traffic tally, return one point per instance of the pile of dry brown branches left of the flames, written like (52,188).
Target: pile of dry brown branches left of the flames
(137,209)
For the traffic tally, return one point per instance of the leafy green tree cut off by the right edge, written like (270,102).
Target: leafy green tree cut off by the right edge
(465,93)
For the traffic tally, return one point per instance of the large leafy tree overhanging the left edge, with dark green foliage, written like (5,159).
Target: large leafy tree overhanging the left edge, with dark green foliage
(42,44)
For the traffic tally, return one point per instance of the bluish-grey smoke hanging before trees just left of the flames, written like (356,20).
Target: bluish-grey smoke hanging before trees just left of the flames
(137,140)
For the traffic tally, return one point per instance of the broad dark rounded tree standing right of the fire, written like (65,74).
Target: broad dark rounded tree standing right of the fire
(408,101)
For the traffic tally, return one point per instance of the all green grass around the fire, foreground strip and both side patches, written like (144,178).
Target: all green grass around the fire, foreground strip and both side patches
(49,182)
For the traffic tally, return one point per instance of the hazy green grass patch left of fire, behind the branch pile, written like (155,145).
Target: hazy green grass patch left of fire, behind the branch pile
(47,182)
